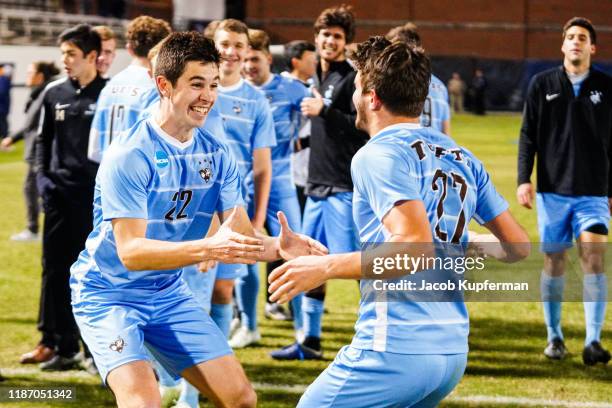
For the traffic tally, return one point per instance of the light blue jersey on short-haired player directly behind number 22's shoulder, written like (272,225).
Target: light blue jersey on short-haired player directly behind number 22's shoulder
(248,125)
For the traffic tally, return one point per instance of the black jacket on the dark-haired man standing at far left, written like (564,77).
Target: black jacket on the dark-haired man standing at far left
(61,145)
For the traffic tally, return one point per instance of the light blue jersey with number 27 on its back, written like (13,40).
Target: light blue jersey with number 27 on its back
(408,162)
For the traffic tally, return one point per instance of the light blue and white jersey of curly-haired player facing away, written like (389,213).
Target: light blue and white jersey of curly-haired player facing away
(120,103)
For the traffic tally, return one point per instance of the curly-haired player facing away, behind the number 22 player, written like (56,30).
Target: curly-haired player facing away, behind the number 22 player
(128,92)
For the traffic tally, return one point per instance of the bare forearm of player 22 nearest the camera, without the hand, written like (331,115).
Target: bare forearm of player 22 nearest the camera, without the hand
(147,254)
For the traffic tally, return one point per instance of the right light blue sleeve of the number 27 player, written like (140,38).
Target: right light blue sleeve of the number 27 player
(489,202)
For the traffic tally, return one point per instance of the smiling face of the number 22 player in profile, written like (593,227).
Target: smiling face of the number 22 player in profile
(193,95)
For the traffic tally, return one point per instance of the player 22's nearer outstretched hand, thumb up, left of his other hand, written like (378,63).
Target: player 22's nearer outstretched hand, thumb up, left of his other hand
(229,246)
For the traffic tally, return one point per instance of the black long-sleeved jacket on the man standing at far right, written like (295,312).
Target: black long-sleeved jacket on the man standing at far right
(571,136)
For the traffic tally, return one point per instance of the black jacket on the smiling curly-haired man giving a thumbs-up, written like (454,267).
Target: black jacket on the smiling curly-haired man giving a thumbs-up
(334,140)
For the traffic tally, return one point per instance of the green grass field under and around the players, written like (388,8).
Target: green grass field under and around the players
(506,339)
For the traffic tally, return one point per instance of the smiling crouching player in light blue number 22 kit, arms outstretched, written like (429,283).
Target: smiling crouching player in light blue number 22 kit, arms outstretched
(157,189)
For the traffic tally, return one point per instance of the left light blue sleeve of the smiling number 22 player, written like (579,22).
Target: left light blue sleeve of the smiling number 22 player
(124,177)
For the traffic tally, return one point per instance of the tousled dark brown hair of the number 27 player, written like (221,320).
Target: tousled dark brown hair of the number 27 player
(399,72)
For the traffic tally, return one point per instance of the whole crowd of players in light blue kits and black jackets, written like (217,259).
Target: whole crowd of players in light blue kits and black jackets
(186,160)
